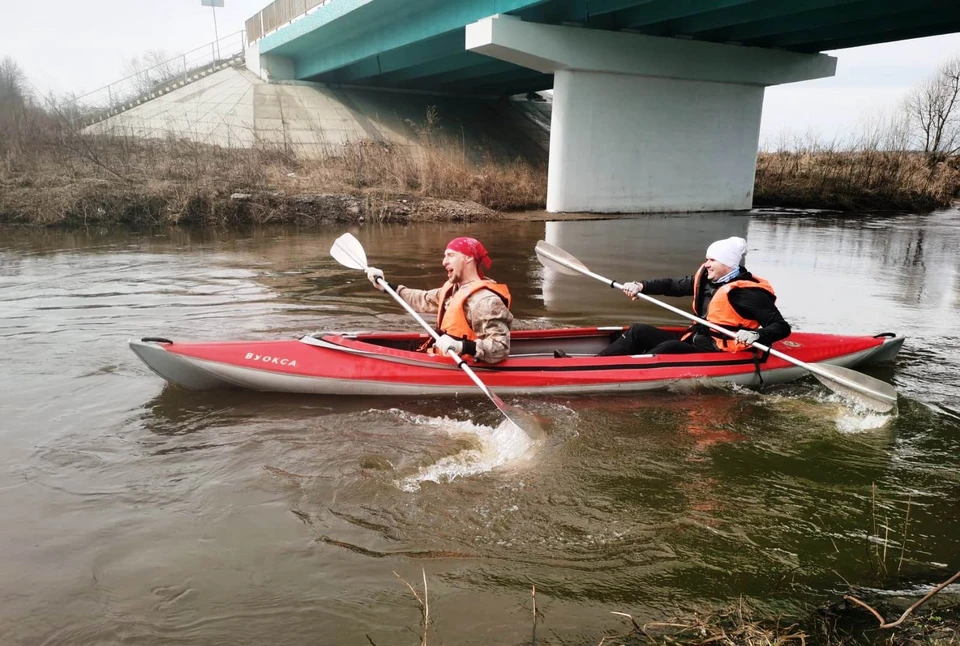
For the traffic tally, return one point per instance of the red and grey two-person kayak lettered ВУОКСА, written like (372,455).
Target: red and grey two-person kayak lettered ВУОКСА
(387,363)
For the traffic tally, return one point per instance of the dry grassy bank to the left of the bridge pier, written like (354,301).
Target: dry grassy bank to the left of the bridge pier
(55,177)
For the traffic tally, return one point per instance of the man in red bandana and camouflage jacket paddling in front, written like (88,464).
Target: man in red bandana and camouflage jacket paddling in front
(473,315)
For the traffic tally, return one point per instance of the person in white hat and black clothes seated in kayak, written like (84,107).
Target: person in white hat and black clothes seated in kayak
(725,293)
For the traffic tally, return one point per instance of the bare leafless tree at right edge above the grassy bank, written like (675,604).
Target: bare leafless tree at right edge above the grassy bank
(934,112)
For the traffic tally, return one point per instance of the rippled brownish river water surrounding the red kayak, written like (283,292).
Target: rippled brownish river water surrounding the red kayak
(138,513)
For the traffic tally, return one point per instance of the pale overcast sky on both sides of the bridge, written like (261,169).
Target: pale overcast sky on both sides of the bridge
(79,46)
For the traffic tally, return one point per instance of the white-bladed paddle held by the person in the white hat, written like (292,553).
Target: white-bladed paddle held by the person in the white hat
(868,392)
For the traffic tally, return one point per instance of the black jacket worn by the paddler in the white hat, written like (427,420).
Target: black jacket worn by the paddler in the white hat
(754,304)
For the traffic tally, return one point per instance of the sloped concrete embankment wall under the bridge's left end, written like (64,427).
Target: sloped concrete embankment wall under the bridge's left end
(234,107)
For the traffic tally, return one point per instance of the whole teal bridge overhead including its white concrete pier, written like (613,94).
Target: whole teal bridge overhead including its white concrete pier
(657,103)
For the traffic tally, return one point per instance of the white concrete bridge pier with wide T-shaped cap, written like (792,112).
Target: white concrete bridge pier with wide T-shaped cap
(642,123)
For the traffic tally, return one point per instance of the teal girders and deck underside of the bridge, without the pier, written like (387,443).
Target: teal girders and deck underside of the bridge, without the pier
(419,44)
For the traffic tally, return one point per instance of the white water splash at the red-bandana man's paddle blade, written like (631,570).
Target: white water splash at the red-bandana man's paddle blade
(498,446)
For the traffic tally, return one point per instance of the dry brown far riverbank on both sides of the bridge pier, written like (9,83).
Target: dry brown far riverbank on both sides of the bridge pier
(70,180)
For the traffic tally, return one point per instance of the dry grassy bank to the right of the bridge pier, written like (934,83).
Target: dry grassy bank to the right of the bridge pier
(856,180)
